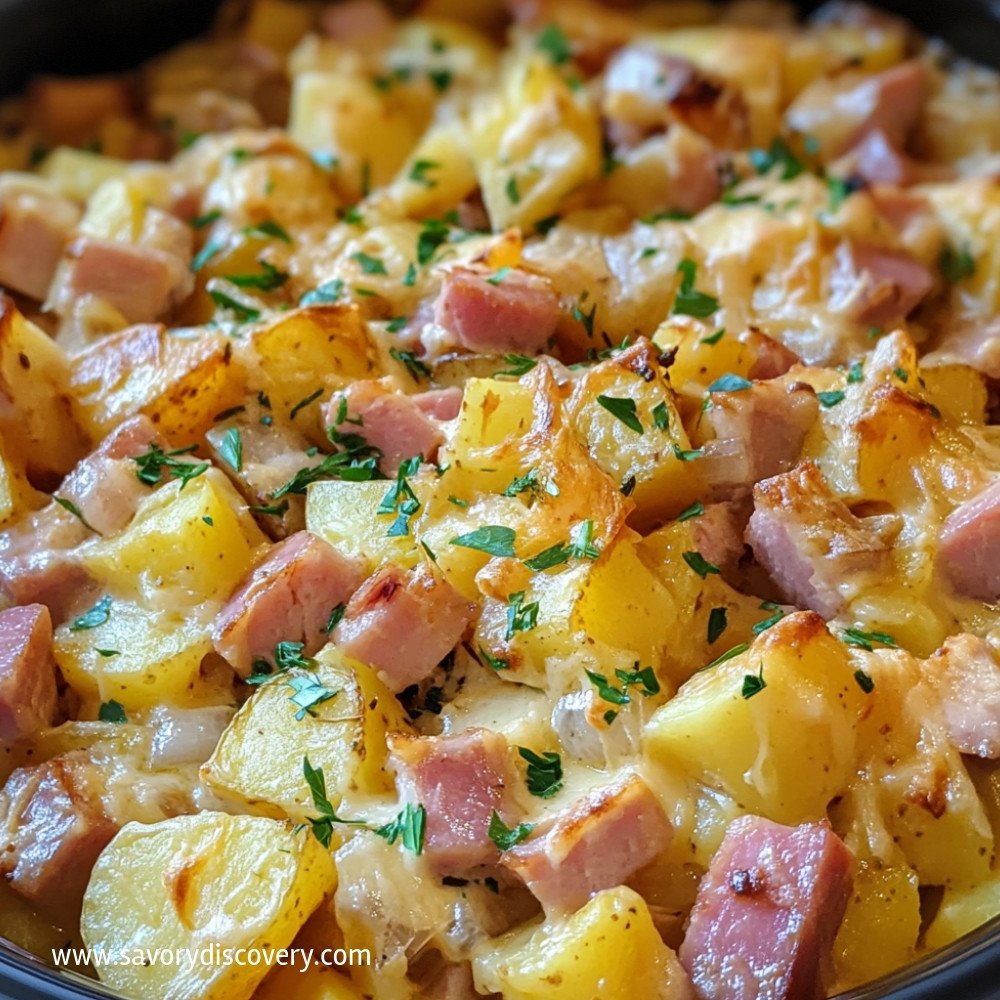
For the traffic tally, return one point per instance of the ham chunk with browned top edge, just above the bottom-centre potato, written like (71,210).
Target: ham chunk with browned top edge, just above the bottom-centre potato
(596,844)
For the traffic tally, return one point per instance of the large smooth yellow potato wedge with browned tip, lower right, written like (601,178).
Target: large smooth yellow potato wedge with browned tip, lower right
(789,748)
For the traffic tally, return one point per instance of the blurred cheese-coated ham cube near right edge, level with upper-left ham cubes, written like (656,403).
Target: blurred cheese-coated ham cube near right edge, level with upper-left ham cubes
(877,287)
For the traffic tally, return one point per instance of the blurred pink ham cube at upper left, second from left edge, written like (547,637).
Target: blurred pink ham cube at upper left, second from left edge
(142,283)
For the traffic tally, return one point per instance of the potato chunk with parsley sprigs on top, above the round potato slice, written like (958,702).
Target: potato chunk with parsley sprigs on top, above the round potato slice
(259,758)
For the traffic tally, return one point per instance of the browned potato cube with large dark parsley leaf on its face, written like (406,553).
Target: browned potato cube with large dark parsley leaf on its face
(625,411)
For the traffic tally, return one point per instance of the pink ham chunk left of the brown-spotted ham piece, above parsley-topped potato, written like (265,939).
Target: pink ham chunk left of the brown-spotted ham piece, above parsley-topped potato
(288,597)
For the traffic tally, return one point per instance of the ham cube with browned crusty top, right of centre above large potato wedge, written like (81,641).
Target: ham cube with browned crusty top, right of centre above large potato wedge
(809,542)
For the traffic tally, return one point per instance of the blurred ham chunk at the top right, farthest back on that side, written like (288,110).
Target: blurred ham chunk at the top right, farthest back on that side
(839,112)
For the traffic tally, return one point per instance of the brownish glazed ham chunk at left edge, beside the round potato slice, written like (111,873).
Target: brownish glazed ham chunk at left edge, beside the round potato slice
(53,826)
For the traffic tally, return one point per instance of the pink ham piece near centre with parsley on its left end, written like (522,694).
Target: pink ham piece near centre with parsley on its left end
(399,426)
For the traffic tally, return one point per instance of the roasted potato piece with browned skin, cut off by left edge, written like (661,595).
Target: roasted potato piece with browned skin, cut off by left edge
(39,422)
